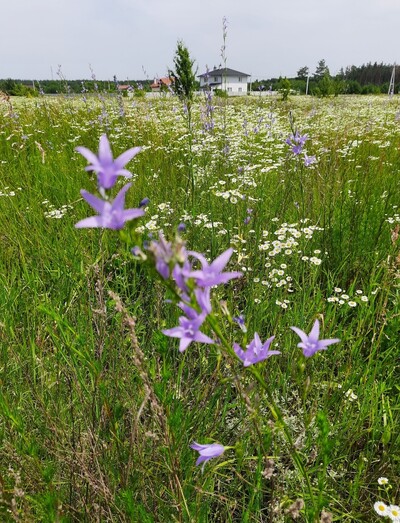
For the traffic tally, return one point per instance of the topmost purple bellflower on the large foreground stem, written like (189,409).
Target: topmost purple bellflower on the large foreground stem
(106,168)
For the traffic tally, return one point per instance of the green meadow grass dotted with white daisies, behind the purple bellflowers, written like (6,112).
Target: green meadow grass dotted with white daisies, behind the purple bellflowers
(97,414)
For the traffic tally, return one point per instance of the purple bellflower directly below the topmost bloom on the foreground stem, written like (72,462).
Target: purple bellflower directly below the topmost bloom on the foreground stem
(111,215)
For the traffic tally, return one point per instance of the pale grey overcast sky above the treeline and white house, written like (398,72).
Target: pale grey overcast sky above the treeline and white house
(136,39)
